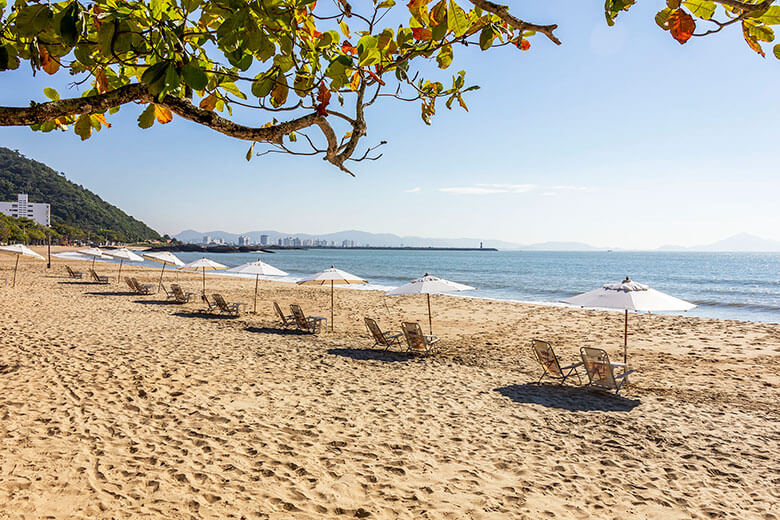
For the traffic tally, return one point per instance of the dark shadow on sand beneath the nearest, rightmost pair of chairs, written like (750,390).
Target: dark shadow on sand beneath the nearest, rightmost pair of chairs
(574,399)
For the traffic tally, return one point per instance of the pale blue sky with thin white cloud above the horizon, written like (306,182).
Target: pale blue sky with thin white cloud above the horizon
(621,137)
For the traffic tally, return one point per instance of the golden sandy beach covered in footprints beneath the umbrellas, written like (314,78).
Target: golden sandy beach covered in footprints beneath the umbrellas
(122,406)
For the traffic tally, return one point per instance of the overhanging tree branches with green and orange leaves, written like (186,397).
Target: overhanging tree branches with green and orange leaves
(311,68)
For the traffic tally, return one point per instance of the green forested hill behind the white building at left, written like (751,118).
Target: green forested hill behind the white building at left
(76,212)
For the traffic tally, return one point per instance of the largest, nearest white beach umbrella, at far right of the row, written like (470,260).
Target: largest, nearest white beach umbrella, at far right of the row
(629,296)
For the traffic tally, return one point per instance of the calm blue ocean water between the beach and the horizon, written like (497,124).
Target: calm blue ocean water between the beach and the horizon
(740,286)
